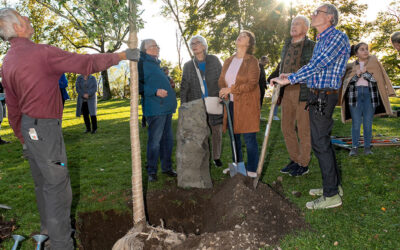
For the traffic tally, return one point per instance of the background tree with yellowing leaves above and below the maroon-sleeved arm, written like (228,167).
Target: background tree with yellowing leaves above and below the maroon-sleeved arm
(98,25)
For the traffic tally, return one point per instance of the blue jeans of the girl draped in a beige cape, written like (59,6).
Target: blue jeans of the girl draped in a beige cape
(362,112)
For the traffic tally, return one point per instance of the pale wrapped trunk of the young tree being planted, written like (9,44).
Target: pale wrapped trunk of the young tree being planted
(139,217)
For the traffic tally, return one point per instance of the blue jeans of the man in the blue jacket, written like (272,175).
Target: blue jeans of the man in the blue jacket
(160,143)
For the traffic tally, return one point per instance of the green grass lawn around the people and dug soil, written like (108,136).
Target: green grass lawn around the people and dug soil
(100,170)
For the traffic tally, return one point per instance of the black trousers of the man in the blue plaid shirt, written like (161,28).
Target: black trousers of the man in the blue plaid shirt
(321,127)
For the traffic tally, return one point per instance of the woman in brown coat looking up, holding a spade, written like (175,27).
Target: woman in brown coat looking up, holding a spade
(239,82)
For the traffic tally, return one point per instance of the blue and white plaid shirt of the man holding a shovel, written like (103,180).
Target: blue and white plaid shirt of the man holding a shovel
(328,63)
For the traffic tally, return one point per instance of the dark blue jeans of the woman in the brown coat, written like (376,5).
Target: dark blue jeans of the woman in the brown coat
(251,145)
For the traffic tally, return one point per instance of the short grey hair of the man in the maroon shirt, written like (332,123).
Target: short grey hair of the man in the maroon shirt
(7,19)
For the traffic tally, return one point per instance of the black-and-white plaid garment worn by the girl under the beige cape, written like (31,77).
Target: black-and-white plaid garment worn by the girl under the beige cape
(373,89)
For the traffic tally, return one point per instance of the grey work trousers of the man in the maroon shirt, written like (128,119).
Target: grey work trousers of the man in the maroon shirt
(45,151)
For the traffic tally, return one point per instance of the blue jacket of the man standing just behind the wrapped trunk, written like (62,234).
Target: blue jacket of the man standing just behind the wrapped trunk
(154,78)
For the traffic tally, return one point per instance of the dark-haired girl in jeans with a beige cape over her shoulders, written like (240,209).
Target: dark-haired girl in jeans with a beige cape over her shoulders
(365,92)
